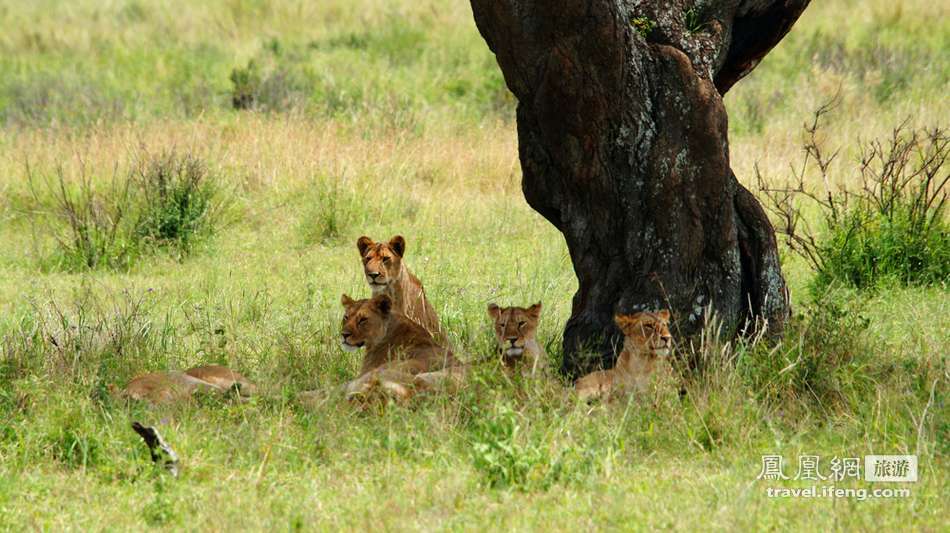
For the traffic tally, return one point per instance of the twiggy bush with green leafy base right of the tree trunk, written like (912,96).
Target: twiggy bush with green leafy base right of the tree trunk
(893,229)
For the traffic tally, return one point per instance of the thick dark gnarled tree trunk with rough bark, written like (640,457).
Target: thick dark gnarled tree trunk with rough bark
(623,144)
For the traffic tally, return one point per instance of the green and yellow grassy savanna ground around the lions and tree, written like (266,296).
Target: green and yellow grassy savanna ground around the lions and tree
(377,118)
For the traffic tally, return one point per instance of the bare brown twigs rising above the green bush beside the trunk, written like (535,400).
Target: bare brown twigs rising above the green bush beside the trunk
(903,179)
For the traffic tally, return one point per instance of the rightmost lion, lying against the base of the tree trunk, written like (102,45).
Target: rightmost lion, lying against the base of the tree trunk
(646,338)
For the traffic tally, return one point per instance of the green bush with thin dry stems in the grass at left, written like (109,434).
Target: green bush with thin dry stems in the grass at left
(168,202)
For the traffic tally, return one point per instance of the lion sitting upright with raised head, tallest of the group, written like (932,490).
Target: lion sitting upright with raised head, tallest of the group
(387,274)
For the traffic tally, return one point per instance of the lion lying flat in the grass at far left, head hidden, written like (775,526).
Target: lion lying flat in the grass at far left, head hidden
(168,387)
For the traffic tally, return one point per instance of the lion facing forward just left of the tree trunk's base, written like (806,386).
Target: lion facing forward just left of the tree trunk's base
(515,330)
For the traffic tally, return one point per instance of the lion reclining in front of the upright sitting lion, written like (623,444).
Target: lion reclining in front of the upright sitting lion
(397,349)
